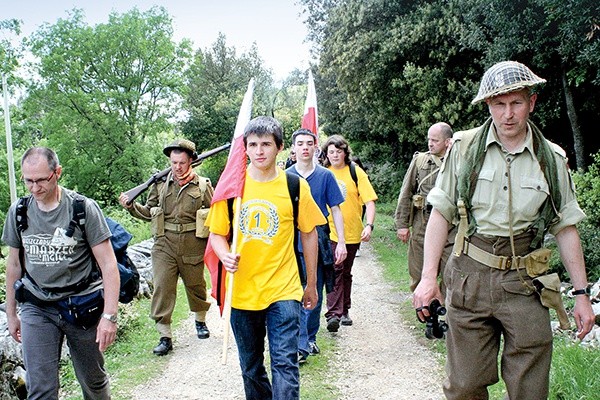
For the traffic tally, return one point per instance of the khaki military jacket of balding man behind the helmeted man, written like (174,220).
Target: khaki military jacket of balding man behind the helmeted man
(419,179)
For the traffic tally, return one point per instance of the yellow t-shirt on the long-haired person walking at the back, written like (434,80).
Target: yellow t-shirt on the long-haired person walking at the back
(354,198)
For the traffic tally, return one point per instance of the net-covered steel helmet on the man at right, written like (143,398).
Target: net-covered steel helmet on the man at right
(505,77)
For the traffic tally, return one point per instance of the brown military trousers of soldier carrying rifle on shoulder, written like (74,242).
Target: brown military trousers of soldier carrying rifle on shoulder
(177,255)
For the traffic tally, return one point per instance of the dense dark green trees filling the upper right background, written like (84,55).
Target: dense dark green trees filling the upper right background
(392,68)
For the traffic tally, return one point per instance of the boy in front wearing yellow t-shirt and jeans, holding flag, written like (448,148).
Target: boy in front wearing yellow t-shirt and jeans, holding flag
(267,289)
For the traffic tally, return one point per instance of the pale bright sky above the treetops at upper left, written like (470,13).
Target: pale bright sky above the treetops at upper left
(275,25)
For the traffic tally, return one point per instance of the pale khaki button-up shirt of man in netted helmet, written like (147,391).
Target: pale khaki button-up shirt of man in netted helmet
(490,202)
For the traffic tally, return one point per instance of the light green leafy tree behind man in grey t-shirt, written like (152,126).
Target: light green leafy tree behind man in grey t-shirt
(106,95)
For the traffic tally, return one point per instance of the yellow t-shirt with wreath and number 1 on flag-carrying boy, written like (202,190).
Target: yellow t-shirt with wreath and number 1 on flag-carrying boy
(267,271)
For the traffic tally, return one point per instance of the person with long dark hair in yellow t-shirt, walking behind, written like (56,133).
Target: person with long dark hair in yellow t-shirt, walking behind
(356,194)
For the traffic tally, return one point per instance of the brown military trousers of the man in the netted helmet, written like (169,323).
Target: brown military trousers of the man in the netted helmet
(484,305)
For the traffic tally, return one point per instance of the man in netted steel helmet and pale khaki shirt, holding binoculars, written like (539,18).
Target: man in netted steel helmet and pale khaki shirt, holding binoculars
(505,186)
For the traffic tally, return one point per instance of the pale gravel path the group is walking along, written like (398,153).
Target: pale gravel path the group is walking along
(378,357)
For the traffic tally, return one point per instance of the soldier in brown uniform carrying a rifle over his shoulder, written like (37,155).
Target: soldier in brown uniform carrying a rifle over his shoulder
(177,209)
